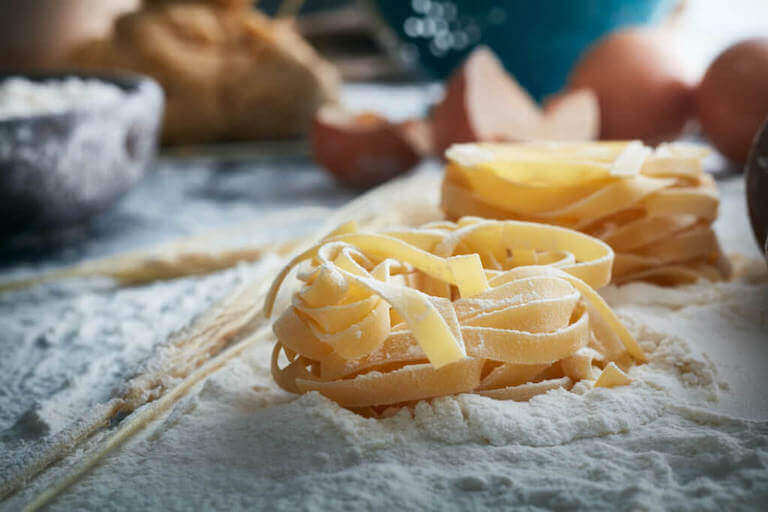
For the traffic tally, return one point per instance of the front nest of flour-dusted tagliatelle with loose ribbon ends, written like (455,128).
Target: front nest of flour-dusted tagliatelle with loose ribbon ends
(505,309)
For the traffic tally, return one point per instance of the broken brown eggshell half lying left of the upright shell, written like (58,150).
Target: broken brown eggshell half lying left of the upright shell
(361,150)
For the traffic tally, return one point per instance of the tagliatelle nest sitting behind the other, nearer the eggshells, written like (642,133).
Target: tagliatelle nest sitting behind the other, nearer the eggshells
(654,207)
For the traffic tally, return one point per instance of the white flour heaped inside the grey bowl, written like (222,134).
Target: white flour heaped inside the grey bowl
(20,97)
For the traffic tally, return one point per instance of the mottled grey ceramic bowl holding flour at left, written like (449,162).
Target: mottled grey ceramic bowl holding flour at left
(57,170)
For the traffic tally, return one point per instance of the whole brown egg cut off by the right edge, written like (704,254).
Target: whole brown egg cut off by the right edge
(732,98)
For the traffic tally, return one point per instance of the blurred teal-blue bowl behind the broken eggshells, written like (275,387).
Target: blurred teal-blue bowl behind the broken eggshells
(538,41)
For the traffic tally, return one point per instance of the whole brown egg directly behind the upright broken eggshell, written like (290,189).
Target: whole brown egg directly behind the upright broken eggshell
(639,83)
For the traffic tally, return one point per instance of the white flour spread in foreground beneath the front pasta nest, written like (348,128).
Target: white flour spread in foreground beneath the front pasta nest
(690,433)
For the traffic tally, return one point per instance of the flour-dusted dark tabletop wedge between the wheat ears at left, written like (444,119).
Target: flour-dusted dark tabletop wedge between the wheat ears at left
(59,360)
